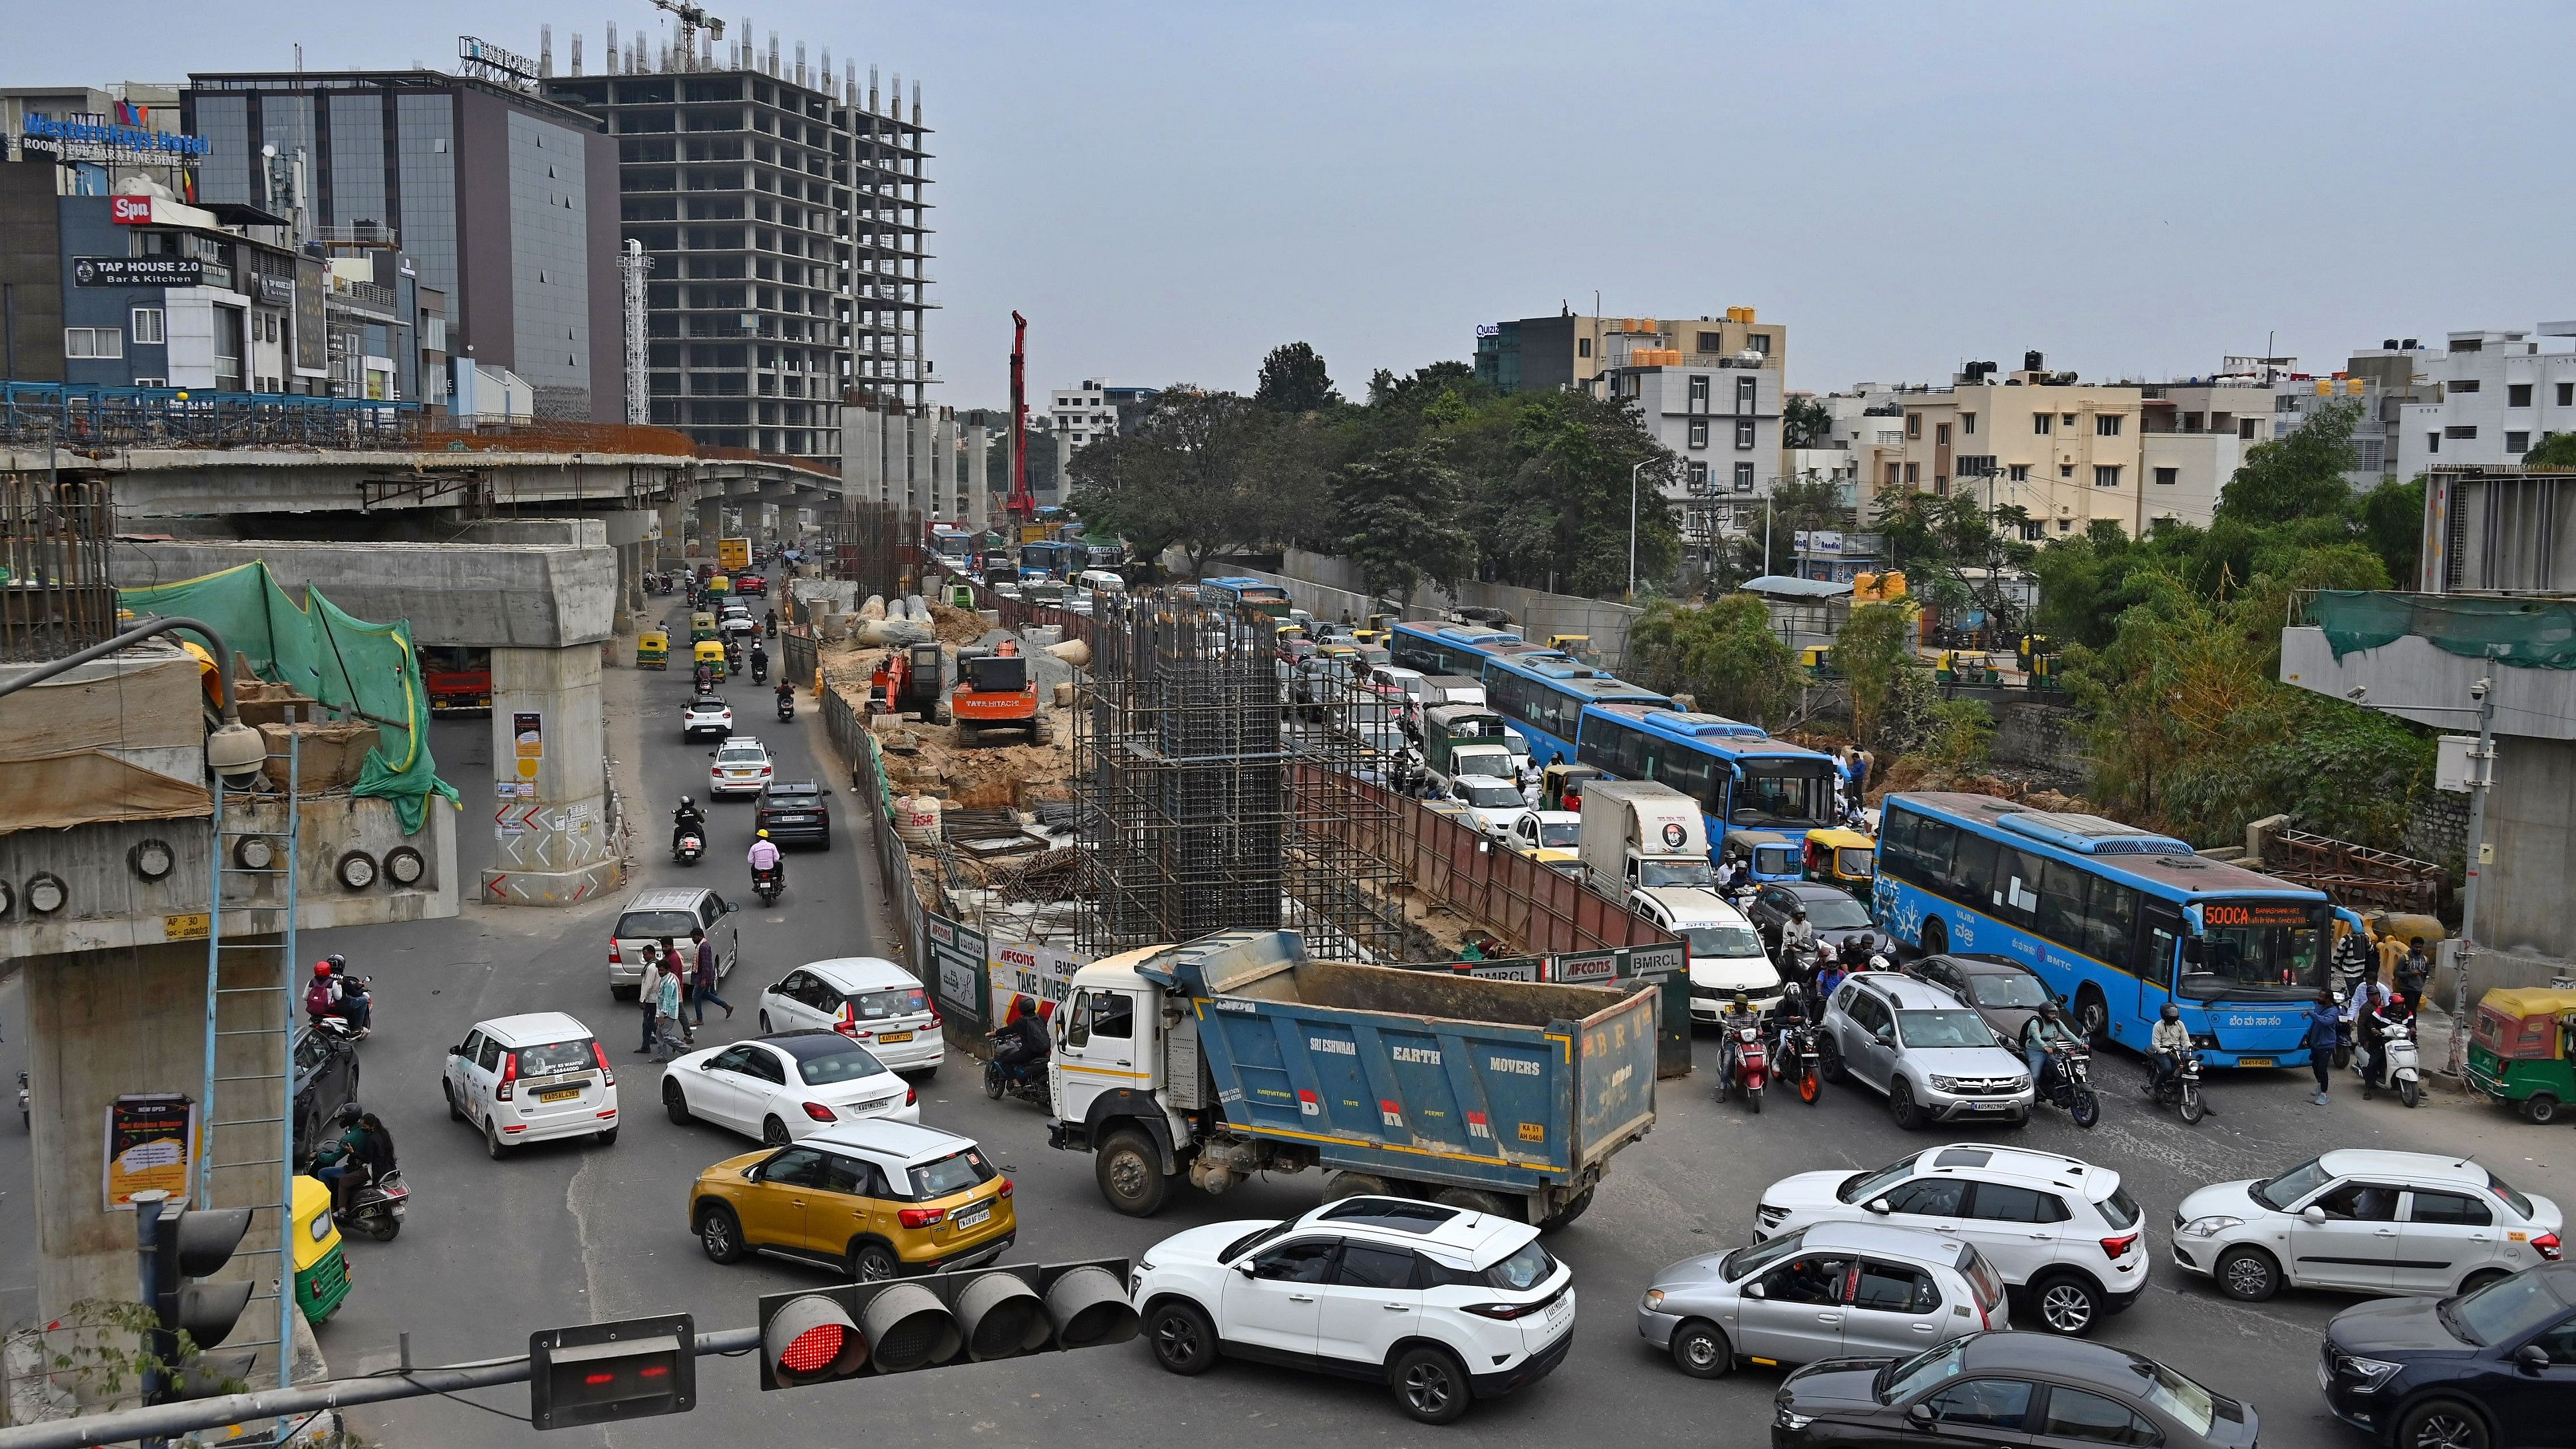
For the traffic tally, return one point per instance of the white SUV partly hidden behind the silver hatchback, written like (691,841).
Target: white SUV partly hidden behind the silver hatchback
(2065,1234)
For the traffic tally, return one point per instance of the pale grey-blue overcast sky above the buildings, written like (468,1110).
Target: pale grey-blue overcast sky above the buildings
(1173,189)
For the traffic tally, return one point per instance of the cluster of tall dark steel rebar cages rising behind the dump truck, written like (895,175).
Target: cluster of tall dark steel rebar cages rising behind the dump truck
(1217,791)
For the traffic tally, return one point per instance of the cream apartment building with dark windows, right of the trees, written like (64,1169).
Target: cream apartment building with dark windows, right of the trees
(2065,452)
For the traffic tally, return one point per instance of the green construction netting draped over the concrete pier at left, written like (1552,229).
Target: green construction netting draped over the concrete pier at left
(331,658)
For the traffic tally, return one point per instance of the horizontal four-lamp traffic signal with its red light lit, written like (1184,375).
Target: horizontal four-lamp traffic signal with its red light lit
(947,1319)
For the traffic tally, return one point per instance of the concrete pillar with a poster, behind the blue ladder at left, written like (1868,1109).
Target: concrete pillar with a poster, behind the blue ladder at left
(122,1023)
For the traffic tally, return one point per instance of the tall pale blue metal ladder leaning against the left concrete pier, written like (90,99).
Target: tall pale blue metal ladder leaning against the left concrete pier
(243,1165)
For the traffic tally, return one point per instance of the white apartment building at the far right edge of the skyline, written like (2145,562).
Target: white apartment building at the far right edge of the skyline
(2490,398)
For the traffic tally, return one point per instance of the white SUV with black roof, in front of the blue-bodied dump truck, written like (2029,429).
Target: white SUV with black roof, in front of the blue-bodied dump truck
(1439,1304)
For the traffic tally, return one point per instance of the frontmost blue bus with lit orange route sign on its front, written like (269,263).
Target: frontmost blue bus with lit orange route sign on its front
(2116,920)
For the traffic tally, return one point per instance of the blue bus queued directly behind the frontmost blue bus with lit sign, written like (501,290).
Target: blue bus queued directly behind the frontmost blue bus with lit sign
(1748,784)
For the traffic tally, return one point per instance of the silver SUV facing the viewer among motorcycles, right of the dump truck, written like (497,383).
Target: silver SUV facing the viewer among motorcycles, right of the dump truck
(1928,1051)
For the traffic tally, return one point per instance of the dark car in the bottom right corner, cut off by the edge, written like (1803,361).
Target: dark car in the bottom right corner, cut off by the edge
(2482,1371)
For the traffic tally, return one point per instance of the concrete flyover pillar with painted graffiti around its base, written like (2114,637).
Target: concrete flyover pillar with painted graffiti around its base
(553,843)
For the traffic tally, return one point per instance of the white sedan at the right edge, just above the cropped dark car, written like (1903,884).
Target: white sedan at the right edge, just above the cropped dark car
(2366,1221)
